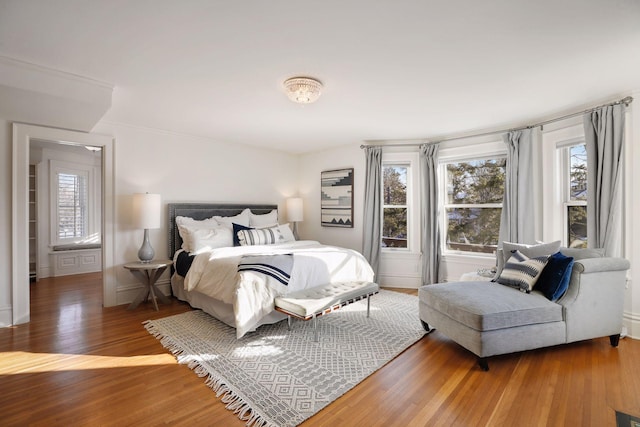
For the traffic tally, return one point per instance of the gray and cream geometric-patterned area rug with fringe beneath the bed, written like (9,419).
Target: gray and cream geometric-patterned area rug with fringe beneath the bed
(277,377)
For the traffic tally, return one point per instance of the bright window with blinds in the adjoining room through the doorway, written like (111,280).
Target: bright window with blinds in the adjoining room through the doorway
(72,206)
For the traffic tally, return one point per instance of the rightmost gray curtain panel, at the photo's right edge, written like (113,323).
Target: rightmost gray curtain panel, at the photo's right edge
(604,135)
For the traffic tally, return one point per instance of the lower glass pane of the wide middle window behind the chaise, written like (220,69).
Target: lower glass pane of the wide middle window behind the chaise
(473,229)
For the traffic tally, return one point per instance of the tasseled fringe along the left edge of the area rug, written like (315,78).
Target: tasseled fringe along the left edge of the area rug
(233,401)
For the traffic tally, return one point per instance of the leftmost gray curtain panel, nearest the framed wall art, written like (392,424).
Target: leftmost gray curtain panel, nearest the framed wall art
(372,226)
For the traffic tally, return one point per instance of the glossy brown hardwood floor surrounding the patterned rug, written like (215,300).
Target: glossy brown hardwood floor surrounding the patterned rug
(77,363)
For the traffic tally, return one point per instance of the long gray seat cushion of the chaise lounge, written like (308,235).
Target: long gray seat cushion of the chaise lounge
(486,306)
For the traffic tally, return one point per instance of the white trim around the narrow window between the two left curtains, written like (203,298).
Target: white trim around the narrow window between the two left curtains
(410,159)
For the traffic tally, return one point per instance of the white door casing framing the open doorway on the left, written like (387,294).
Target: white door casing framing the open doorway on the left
(23,137)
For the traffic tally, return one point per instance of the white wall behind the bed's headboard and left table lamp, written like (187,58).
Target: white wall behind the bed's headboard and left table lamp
(184,168)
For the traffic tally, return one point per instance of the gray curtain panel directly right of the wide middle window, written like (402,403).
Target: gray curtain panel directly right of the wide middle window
(517,223)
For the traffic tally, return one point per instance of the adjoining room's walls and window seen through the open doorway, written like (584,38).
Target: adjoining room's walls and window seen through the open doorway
(65,205)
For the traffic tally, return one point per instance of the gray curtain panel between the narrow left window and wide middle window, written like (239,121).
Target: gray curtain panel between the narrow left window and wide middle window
(430,244)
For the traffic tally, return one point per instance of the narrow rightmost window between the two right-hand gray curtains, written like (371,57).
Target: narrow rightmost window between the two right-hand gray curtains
(575,195)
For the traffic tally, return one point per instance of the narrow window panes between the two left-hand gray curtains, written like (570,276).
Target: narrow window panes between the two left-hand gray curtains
(395,208)
